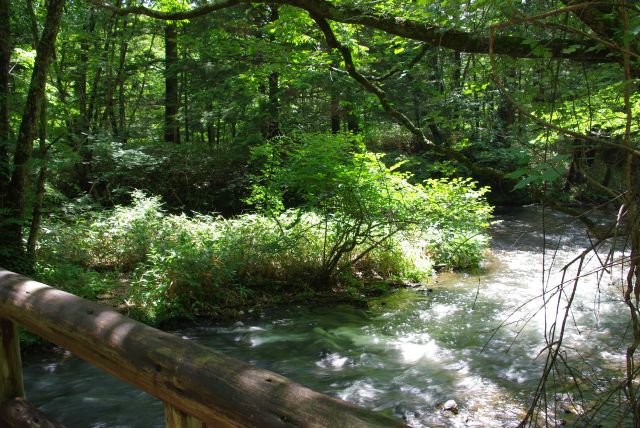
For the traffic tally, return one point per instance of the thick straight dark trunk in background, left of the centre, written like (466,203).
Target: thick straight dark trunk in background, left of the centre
(171,126)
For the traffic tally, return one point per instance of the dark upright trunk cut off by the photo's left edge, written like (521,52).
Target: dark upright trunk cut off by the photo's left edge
(5,58)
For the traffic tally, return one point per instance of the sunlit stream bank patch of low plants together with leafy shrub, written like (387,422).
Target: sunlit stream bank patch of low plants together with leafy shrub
(330,217)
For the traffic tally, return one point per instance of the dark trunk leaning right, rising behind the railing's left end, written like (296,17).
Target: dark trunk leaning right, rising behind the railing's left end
(11,234)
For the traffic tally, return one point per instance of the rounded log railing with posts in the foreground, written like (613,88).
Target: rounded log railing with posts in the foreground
(199,386)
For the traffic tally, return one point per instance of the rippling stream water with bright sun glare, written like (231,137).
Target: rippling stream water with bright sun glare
(406,353)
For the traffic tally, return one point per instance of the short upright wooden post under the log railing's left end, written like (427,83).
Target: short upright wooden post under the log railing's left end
(10,364)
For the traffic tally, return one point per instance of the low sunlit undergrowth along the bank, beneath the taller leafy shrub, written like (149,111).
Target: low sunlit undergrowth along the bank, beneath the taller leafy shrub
(184,266)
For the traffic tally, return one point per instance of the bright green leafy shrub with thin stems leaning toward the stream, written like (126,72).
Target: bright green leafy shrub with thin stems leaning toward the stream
(363,204)
